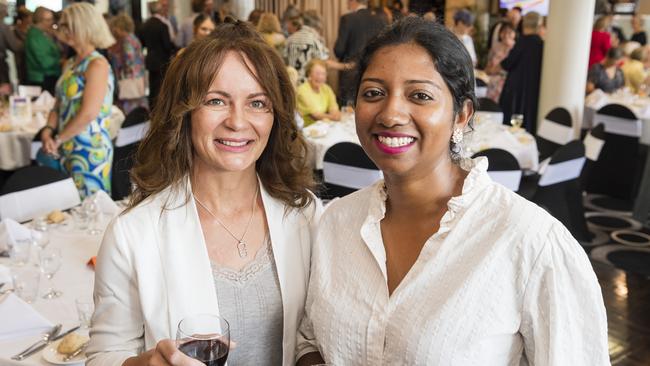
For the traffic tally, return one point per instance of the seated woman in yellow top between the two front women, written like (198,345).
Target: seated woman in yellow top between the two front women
(316,100)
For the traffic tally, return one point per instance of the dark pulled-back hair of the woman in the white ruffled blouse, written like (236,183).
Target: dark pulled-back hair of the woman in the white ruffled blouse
(448,53)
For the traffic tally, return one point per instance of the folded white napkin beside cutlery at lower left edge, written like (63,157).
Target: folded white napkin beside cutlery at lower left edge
(19,319)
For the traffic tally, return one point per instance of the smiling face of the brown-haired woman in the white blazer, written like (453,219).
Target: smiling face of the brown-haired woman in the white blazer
(232,126)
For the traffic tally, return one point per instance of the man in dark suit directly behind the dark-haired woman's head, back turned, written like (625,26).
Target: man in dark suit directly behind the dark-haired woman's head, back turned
(355,30)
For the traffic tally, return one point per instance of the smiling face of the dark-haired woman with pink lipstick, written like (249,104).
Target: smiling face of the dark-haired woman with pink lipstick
(404,114)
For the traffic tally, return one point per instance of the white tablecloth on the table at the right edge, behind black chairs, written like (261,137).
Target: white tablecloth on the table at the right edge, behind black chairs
(639,105)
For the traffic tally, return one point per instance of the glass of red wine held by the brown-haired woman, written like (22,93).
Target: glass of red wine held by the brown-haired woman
(204,337)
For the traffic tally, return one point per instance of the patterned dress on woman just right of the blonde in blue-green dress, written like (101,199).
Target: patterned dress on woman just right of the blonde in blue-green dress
(128,62)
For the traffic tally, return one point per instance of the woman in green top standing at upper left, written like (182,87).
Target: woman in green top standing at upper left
(42,55)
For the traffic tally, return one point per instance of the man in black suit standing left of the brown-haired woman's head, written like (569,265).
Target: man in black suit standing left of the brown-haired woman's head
(156,35)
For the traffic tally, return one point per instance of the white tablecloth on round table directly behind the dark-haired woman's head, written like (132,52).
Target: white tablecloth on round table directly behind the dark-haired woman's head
(488,134)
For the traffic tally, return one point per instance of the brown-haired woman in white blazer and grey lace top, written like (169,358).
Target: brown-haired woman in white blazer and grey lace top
(221,218)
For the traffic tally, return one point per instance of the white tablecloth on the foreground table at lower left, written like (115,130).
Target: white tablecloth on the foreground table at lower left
(75,279)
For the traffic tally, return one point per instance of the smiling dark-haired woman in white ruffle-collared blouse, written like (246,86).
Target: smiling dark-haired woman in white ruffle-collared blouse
(437,264)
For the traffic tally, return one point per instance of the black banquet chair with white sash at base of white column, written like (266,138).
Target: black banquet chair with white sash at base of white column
(554,131)
